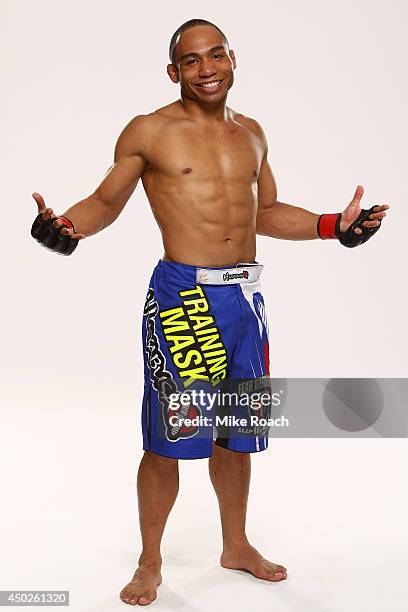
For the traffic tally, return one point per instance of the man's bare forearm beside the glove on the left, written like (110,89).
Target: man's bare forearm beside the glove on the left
(90,215)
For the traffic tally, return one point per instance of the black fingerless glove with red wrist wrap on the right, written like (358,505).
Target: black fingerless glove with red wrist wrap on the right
(328,226)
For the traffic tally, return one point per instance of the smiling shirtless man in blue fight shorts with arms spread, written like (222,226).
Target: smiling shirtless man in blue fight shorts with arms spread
(204,169)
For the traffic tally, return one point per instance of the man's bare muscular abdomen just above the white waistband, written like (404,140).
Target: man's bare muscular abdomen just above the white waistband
(204,223)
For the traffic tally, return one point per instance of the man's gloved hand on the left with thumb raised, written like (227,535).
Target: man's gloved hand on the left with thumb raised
(54,232)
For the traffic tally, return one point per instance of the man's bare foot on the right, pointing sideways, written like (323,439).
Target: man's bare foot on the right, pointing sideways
(245,557)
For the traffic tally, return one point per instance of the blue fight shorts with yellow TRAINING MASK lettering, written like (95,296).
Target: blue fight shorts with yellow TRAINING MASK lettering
(203,328)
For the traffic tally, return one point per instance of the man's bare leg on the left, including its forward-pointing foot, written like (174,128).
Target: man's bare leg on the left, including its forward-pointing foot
(157,488)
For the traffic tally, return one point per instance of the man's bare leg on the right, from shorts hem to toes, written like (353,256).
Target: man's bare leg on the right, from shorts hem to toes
(230,474)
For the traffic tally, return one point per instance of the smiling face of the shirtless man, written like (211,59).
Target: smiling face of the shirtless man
(202,57)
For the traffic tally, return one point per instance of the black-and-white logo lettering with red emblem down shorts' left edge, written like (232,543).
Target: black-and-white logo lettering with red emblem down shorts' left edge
(162,380)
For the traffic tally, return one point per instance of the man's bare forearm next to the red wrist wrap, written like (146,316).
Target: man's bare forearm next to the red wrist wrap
(287,222)
